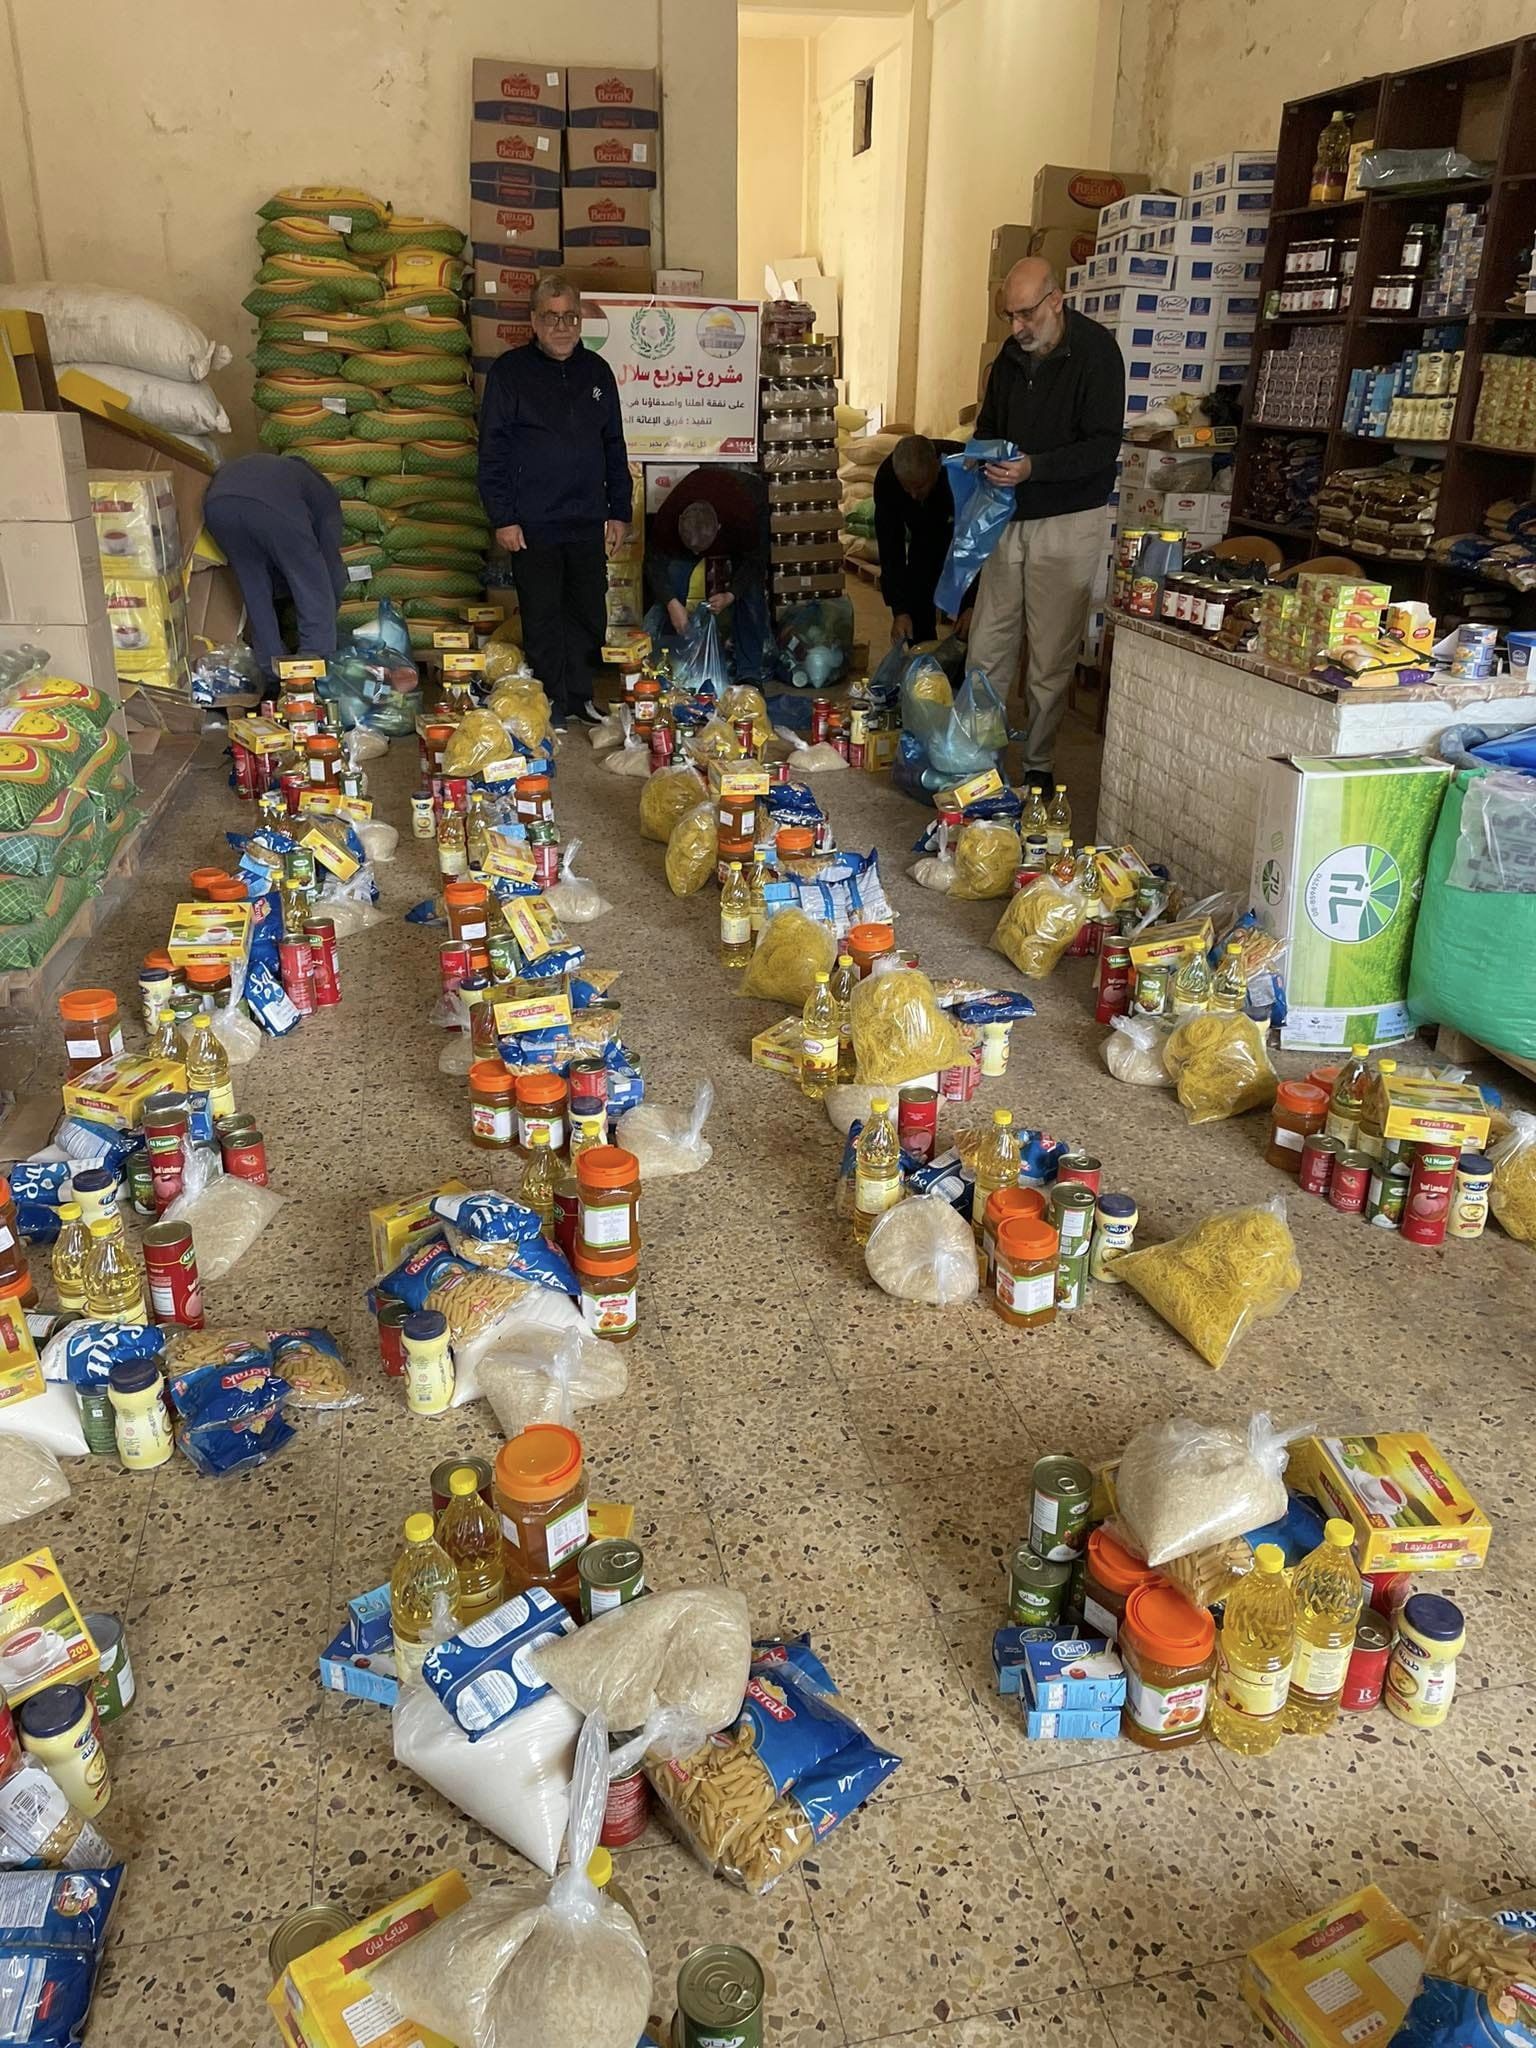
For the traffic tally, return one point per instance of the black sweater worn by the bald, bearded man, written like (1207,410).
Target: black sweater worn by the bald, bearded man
(1066,413)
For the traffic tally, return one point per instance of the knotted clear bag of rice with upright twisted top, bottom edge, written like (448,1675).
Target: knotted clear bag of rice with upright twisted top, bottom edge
(527,1969)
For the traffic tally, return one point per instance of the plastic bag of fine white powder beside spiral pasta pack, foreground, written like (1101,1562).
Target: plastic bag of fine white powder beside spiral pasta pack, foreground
(515,1781)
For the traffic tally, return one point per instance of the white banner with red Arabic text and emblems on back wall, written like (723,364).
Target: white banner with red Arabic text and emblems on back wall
(687,374)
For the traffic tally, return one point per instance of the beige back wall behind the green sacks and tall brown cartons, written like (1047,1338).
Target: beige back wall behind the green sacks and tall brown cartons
(138,161)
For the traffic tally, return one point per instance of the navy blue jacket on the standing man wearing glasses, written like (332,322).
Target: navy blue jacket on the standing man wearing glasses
(552,445)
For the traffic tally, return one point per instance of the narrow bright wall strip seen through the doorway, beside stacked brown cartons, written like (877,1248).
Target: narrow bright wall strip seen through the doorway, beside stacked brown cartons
(771,167)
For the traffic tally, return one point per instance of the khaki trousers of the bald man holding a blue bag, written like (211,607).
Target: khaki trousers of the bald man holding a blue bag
(1039,583)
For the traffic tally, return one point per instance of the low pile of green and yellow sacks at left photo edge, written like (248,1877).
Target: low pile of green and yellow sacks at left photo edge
(67,790)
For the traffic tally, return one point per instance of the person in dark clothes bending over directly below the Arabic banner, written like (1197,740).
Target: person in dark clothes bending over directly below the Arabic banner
(718,517)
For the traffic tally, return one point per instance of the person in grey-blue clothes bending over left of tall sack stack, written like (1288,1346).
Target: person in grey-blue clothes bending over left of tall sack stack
(280,525)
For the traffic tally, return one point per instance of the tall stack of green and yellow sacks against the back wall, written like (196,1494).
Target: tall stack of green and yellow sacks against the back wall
(364,370)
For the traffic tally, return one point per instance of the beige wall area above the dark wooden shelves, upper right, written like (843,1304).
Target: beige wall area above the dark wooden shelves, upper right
(1203,77)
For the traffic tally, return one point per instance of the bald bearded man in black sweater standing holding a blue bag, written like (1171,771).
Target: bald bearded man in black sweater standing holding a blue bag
(1058,394)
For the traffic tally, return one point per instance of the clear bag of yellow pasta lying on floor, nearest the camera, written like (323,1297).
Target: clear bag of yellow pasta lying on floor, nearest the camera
(1234,1269)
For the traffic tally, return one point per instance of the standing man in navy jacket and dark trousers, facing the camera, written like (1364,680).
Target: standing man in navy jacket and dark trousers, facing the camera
(554,476)
